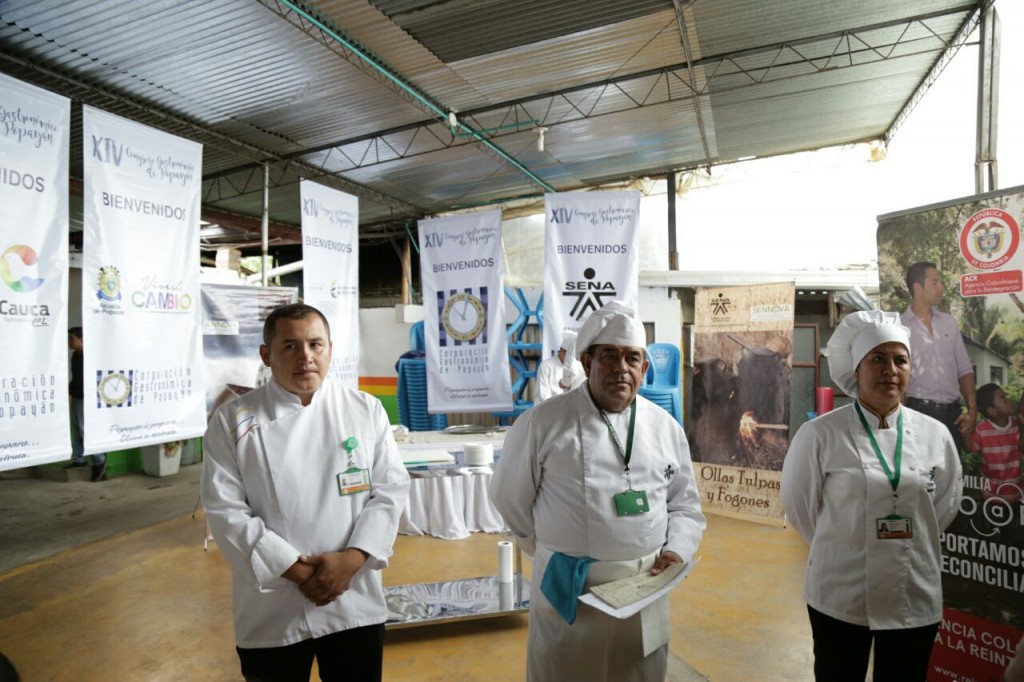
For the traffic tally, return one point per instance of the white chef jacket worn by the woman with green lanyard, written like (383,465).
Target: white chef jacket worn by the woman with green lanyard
(835,489)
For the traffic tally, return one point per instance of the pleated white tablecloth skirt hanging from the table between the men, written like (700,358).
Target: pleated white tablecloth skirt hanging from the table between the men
(451,506)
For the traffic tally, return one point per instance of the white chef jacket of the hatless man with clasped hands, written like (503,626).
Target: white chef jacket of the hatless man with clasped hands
(271,493)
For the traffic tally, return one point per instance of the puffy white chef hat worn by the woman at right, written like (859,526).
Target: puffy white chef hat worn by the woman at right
(856,337)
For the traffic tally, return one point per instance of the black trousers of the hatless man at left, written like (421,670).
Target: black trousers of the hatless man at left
(355,655)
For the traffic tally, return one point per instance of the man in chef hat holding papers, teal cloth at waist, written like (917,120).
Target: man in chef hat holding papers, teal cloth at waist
(598,486)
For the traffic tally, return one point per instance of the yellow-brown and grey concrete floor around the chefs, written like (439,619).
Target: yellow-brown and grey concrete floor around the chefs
(110,582)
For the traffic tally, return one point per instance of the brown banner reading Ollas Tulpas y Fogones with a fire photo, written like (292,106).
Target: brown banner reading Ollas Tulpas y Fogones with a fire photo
(739,425)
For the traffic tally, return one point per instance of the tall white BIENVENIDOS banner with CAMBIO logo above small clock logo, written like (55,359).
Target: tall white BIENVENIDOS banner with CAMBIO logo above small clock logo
(142,313)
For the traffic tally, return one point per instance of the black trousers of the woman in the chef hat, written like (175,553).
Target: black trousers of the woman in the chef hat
(842,651)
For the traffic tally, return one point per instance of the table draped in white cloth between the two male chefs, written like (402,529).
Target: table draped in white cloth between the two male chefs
(449,500)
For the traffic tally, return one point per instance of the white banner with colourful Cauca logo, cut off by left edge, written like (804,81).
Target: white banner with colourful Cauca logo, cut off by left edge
(35,126)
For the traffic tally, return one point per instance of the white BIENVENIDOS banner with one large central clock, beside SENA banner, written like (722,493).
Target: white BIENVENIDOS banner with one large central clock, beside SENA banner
(464,314)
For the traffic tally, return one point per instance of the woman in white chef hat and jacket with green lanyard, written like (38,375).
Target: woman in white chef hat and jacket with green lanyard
(871,487)
